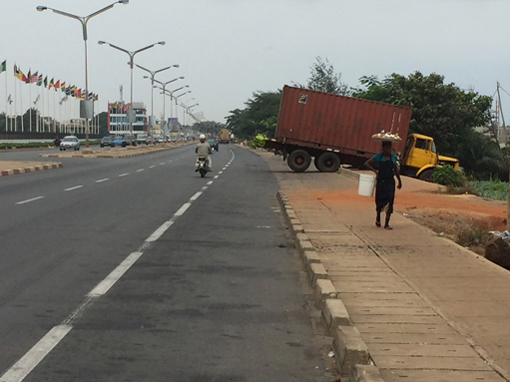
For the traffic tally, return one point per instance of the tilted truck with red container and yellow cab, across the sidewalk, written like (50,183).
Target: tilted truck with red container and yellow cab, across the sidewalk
(337,130)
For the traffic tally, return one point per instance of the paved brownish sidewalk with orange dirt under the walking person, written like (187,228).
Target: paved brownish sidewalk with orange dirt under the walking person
(425,308)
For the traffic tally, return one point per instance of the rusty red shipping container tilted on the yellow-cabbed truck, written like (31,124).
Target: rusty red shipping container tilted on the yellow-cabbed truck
(317,122)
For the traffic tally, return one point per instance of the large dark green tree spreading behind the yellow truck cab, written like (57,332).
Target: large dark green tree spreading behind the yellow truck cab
(442,111)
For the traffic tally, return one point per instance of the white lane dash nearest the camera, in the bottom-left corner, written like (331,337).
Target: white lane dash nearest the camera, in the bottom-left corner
(30,360)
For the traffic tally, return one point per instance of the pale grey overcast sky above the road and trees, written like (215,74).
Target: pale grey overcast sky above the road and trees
(228,49)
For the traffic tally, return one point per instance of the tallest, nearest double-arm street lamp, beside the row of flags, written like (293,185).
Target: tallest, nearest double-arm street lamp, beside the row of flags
(88,111)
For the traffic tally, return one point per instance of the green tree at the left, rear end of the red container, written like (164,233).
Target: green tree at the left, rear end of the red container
(259,116)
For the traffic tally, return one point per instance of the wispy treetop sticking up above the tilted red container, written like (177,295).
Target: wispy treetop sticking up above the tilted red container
(324,79)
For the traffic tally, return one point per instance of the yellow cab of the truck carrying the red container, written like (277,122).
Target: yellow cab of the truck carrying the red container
(420,157)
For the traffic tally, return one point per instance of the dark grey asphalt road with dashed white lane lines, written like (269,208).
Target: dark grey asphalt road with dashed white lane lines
(136,269)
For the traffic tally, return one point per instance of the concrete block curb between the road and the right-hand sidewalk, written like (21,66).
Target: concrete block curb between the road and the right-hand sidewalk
(351,352)
